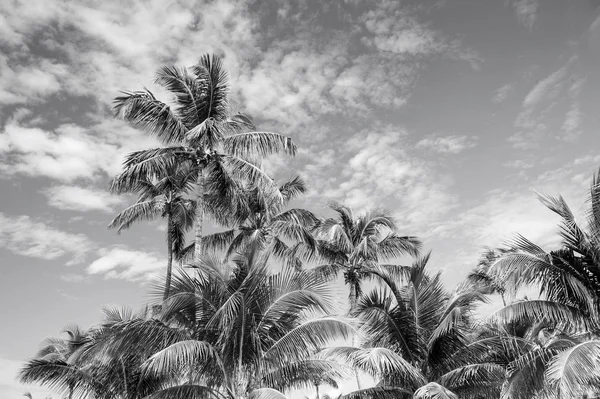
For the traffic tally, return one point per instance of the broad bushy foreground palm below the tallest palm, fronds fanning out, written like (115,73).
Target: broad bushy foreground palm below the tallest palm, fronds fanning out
(231,332)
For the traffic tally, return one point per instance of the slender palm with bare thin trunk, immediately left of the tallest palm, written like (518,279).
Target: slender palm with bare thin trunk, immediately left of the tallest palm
(164,196)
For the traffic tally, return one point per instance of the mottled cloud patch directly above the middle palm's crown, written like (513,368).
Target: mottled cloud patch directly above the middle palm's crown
(380,171)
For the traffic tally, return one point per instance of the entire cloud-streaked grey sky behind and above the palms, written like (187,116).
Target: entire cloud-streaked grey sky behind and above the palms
(446,113)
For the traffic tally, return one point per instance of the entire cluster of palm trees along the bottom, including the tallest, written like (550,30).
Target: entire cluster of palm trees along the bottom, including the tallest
(251,311)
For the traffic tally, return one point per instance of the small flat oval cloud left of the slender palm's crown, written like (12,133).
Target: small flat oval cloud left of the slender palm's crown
(81,199)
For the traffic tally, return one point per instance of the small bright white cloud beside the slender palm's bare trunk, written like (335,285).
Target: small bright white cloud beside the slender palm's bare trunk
(122,263)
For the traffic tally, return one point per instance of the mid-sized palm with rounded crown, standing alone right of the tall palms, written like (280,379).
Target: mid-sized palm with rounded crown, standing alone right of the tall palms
(355,245)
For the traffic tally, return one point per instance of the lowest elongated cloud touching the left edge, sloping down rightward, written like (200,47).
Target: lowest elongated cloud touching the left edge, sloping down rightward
(27,237)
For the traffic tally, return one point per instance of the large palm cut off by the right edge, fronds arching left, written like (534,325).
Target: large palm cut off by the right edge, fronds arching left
(568,279)
